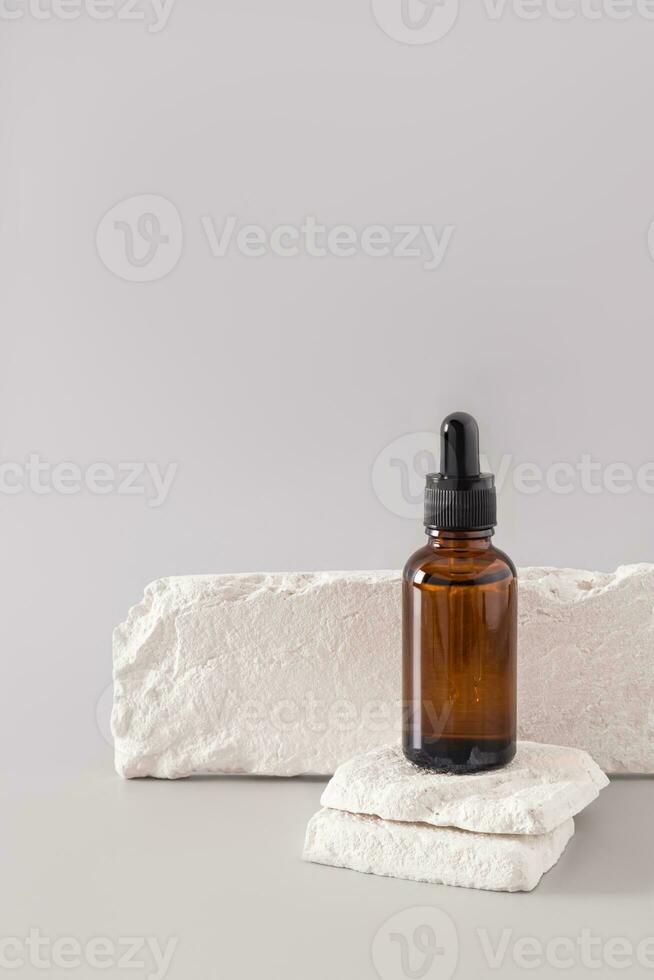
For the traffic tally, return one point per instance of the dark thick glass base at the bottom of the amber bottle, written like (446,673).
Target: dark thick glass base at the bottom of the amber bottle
(459,755)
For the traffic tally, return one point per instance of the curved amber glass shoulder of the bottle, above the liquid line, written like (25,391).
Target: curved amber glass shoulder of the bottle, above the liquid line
(455,565)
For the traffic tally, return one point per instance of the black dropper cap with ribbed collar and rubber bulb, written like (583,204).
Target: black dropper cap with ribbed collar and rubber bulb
(460,498)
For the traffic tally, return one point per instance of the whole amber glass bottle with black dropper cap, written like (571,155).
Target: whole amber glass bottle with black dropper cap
(459,620)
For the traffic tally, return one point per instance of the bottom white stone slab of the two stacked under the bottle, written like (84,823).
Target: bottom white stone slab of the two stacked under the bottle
(496,862)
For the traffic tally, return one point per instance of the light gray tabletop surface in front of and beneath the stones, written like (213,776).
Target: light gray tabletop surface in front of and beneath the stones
(216,863)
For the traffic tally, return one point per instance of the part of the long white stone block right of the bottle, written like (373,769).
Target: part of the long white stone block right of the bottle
(586,662)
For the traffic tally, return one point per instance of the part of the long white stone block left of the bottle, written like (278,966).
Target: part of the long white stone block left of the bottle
(268,674)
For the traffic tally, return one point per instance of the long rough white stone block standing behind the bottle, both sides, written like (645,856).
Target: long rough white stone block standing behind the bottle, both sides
(293,673)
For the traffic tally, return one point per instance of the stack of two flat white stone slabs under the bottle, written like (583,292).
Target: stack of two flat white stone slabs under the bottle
(499,830)
